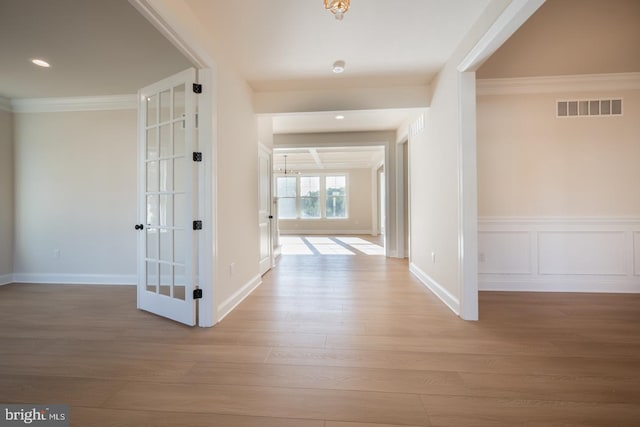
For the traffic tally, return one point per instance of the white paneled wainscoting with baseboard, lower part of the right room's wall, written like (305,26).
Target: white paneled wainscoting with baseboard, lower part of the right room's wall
(559,254)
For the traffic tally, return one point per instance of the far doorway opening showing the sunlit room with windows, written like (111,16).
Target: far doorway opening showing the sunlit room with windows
(328,199)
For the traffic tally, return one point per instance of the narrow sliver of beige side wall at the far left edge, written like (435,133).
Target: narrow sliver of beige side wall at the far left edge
(6,197)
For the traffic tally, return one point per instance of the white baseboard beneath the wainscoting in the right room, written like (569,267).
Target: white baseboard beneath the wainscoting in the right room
(560,284)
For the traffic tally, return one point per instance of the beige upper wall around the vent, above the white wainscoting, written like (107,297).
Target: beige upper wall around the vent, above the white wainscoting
(531,163)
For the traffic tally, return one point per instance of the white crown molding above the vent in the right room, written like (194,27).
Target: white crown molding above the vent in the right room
(555,84)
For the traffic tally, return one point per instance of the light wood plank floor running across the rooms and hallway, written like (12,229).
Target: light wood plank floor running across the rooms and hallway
(325,341)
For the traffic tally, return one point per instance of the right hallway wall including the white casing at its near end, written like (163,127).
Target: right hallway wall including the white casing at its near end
(442,167)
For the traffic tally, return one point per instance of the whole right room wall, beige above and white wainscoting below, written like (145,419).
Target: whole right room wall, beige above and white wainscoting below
(558,197)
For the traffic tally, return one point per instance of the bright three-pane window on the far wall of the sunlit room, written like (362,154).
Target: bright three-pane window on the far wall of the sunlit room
(312,196)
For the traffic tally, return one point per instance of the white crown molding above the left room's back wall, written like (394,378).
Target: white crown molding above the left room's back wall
(81,103)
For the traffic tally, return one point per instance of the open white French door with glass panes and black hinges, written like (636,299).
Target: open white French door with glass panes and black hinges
(167,198)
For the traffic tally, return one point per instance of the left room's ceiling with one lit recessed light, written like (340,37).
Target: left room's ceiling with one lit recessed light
(95,47)
